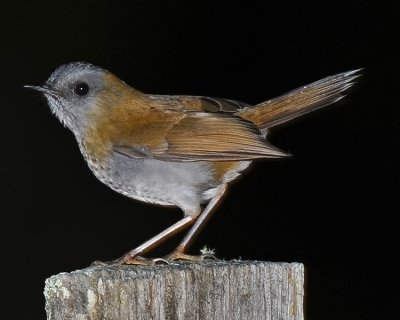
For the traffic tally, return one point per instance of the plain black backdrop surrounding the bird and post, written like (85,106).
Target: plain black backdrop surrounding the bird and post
(332,206)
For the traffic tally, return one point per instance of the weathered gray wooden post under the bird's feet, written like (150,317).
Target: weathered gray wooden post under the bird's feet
(208,290)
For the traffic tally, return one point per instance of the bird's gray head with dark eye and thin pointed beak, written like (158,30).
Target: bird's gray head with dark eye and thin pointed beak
(71,91)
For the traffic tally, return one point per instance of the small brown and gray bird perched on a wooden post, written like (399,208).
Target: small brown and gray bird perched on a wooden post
(173,150)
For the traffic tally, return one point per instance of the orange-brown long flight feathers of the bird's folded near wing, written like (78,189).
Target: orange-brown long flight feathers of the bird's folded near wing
(204,136)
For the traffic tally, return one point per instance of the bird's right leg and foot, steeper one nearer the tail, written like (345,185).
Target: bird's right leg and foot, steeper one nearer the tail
(179,252)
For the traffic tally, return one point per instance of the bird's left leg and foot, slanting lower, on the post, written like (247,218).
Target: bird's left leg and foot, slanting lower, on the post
(132,256)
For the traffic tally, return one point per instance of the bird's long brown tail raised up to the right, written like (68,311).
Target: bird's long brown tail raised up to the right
(300,101)
